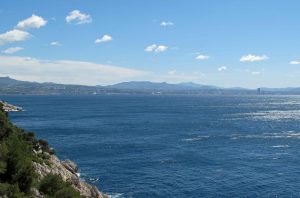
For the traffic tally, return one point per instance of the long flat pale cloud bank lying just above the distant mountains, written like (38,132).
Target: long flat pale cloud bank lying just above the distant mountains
(66,71)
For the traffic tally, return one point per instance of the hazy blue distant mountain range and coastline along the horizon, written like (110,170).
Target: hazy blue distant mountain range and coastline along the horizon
(12,86)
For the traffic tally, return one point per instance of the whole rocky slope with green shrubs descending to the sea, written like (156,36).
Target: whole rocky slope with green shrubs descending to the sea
(29,168)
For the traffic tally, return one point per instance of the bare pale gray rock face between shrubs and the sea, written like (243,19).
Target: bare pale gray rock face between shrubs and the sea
(67,171)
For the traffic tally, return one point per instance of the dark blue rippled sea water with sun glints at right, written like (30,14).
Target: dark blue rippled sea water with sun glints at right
(174,146)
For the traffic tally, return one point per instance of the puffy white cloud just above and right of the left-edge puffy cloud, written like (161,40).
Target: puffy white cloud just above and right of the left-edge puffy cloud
(32,22)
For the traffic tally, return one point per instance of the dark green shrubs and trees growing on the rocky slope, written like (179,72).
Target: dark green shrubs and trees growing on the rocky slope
(17,174)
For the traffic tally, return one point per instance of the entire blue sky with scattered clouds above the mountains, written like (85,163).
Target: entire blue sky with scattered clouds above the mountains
(225,43)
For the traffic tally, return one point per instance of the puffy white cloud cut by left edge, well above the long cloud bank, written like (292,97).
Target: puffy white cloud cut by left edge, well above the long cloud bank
(13,36)
